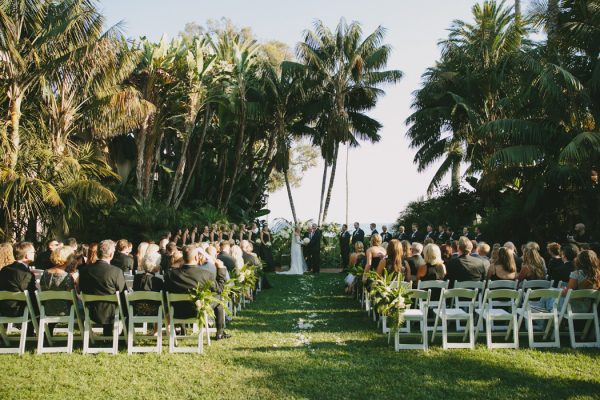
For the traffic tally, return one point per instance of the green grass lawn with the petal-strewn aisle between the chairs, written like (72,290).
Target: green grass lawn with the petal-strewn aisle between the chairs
(343,356)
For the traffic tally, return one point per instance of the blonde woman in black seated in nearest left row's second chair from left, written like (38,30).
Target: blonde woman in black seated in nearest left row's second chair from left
(57,278)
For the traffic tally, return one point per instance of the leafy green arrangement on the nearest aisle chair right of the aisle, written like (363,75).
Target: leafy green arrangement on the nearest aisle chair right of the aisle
(389,301)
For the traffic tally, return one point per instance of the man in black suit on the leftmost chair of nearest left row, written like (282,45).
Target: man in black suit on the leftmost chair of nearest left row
(17,277)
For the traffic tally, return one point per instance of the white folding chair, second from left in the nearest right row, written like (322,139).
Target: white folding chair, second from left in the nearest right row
(453,314)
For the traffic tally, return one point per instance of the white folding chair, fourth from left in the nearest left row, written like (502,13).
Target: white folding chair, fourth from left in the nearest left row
(131,298)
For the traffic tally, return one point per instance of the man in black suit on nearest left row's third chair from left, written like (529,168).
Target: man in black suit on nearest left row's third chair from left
(102,278)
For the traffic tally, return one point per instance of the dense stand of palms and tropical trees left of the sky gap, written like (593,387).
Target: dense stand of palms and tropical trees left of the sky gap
(102,136)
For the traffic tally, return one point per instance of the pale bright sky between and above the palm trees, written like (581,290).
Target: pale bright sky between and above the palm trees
(382,177)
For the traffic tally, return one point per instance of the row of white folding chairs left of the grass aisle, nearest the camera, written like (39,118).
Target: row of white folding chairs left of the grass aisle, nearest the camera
(88,328)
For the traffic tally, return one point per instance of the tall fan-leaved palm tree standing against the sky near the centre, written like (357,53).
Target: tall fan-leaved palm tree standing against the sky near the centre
(350,71)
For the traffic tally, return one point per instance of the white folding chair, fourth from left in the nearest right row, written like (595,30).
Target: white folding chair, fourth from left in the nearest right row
(533,310)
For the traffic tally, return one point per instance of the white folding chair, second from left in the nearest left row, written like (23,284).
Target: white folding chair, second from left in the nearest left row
(70,299)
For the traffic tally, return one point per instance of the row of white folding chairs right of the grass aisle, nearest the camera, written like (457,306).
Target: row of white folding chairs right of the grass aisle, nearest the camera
(502,308)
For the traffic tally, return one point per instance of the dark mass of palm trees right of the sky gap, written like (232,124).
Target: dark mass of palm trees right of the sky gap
(522,115)
